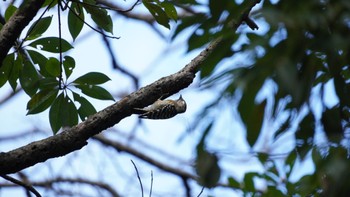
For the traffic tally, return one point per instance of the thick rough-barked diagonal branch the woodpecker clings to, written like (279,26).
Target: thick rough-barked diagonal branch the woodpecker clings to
(76,137)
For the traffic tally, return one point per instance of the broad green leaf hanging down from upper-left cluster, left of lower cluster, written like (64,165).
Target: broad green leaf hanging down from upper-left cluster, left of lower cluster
(29,78)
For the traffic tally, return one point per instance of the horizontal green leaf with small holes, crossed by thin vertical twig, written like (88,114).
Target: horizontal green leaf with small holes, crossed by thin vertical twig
(51,44)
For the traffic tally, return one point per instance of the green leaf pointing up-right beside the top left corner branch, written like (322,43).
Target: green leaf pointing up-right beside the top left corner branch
(38,28)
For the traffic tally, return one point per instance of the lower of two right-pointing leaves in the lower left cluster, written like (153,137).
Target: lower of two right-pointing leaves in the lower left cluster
(95,92)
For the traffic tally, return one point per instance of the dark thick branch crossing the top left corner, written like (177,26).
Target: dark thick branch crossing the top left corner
(13,28)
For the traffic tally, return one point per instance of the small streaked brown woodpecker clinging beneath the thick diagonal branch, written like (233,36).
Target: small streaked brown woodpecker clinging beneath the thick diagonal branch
(162,109)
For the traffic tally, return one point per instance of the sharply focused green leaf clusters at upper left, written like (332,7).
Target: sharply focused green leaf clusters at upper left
(46,79)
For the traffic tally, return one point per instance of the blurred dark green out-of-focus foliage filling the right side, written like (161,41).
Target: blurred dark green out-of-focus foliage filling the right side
(304,48)
